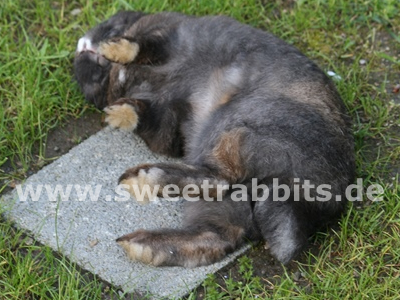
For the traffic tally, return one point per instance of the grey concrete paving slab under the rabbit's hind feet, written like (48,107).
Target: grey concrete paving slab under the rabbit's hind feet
(85,229)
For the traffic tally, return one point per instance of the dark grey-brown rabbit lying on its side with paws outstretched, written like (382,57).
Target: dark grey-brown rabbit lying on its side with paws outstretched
(242,108)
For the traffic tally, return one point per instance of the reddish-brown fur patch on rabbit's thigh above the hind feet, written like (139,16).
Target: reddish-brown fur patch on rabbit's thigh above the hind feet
(227,155)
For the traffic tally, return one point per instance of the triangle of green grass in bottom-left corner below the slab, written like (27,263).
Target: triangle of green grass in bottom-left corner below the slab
(29,271)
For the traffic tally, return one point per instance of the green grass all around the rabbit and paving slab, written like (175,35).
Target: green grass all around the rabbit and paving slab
(358,40)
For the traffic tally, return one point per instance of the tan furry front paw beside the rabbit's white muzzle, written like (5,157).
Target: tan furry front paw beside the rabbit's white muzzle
(120,50)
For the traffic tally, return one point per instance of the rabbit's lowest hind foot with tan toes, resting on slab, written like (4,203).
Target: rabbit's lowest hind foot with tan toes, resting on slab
(180,248)
